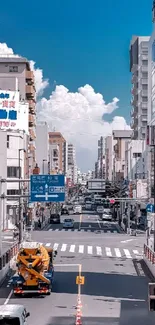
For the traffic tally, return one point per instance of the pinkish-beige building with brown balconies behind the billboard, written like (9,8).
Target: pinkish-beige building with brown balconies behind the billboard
(16,74)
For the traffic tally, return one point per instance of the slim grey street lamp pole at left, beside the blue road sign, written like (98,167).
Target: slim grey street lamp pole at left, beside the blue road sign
(20,210)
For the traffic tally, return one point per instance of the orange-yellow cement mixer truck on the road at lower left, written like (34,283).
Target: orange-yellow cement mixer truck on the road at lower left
(35,270)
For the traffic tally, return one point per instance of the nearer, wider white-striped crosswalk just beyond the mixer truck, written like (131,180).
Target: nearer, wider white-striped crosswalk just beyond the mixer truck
(96,250)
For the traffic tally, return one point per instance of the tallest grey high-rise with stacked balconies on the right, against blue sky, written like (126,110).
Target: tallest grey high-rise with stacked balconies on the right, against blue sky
(139,101)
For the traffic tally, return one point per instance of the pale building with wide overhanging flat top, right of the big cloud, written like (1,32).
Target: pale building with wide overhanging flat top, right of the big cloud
(121,137)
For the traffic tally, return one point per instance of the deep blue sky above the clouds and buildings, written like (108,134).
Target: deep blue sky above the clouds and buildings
(79,42)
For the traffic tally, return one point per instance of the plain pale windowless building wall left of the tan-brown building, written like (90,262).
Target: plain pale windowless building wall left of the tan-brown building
(42,147)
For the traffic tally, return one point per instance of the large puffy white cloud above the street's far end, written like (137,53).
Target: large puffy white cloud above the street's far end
(79,117)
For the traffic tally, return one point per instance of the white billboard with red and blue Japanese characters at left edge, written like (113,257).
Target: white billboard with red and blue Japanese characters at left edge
(13,114)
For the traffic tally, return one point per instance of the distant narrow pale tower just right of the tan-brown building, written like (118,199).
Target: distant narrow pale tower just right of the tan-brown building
(72,167)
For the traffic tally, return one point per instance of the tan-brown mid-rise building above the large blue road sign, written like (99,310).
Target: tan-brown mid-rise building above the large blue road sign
(58,151)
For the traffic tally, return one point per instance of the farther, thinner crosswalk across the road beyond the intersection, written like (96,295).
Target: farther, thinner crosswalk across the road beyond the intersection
(92,229)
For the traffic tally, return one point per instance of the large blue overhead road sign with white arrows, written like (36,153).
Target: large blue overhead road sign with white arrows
(47,188)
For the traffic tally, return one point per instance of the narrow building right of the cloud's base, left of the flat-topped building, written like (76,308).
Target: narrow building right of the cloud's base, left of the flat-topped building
(109,157)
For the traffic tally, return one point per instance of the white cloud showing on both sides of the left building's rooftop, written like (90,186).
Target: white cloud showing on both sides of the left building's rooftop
(40,83)
